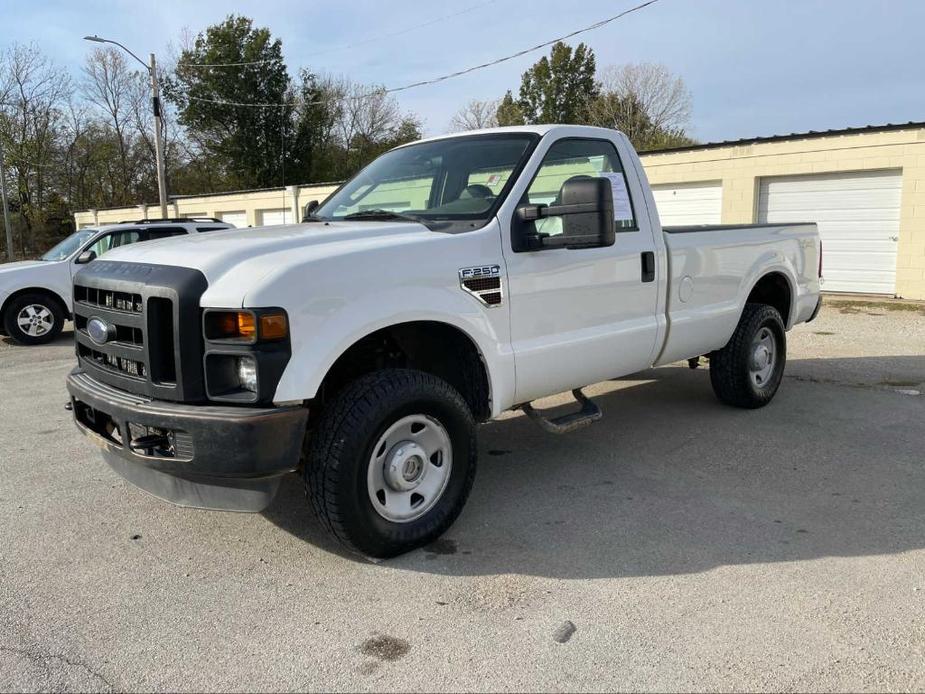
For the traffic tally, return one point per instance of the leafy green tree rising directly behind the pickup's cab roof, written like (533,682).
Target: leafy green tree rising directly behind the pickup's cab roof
(556,89)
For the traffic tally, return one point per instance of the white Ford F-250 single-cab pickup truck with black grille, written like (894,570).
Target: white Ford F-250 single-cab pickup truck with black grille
(451,280)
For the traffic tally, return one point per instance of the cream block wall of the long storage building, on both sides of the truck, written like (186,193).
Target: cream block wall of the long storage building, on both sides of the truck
(739,167)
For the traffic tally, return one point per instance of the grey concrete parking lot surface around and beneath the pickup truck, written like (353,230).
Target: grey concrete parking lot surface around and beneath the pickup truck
(676,545)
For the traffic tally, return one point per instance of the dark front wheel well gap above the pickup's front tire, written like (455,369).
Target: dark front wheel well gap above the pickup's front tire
(436,348)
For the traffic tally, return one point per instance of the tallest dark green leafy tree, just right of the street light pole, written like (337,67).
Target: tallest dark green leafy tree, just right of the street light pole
(248,141)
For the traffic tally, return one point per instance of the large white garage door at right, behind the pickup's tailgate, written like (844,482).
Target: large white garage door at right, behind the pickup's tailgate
(858,218)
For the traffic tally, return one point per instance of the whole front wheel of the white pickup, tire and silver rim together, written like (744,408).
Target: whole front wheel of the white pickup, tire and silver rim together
(391,462)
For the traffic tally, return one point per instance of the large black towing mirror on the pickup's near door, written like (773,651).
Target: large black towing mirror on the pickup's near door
(586,209)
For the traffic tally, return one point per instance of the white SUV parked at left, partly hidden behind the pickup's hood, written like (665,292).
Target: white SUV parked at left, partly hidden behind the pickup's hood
(36,295)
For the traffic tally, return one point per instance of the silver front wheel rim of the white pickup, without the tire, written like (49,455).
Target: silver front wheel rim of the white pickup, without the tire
(409,468)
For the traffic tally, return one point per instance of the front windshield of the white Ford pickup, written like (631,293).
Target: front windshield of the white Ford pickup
(452,184)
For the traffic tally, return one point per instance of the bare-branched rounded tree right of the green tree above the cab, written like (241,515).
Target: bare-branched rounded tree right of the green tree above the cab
(646,102)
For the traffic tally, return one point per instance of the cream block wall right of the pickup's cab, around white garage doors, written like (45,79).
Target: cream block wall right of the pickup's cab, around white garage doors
(741,169)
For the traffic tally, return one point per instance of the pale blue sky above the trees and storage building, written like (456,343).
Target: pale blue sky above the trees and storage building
(754,67)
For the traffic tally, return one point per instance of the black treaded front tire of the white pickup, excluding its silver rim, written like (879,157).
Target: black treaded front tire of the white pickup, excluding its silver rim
(340,448)
